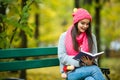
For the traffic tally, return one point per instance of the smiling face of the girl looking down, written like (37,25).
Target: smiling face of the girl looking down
(83,25)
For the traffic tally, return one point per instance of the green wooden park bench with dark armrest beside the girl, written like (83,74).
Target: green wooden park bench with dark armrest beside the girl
(36,62)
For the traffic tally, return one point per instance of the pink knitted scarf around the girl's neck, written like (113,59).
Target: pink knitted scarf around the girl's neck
(81,39)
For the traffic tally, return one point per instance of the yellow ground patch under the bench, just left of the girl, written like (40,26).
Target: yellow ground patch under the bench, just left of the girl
(49,73)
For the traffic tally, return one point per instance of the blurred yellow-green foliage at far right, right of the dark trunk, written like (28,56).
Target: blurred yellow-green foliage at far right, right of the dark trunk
(111,22)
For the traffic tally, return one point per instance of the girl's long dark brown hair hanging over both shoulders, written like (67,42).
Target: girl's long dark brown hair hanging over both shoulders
(74,33)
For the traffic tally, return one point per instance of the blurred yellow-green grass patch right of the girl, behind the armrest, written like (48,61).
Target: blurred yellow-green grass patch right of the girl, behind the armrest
(114,65)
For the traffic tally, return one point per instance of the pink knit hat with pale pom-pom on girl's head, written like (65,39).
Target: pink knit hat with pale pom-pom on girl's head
(80,14)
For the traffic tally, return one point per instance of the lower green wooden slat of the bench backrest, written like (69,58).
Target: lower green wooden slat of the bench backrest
(30,64)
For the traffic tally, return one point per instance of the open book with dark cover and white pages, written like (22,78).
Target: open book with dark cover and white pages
(90,55)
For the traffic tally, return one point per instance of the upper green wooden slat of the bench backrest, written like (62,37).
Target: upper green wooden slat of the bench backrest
(27,52)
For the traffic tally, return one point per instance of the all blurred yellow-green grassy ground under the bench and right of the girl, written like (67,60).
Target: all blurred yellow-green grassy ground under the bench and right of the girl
(52,73)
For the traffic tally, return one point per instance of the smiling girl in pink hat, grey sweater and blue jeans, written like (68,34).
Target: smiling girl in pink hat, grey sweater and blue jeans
(77,37)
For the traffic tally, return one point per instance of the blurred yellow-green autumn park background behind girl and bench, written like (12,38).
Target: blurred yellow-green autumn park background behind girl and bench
(39,23)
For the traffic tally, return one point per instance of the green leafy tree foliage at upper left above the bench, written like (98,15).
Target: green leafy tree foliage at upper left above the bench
(13,23)
